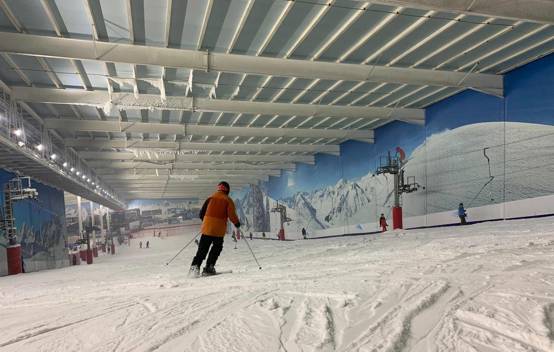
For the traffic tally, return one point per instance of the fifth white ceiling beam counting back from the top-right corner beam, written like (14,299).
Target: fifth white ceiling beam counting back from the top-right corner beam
(221,147)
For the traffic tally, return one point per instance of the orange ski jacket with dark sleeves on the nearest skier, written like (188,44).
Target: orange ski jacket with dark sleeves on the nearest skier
(215,212)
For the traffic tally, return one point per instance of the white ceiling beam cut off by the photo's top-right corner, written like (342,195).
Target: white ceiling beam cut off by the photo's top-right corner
(520,10)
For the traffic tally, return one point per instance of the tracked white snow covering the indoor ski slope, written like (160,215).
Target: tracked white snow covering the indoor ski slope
(485,287)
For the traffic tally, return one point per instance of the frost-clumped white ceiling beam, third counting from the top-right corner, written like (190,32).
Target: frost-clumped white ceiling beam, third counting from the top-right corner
(101,99)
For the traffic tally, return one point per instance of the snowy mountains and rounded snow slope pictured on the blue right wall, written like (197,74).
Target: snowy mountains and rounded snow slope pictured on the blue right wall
(452,165)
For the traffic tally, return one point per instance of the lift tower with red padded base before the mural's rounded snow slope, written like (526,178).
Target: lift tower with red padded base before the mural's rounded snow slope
(394,166)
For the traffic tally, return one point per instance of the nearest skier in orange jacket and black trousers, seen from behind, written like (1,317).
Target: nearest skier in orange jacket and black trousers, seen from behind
(214,214)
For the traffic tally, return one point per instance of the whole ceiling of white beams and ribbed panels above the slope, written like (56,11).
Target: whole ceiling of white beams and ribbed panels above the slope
(163,98)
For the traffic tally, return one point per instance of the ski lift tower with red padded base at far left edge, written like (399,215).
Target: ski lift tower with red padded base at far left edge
(15,190)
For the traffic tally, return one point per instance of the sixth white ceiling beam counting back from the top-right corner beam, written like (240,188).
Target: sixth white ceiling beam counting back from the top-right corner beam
(307,159)
